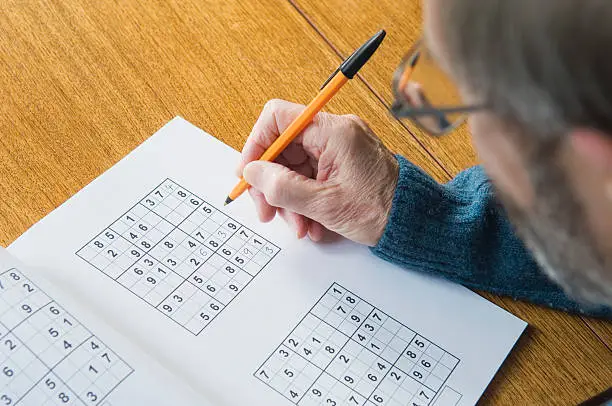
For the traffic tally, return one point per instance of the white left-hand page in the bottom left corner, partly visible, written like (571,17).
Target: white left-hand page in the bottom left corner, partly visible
(54,351)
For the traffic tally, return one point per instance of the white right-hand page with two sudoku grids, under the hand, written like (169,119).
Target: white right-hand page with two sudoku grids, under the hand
(456,339)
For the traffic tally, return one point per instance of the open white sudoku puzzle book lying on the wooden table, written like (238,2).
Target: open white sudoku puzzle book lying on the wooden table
(142,290)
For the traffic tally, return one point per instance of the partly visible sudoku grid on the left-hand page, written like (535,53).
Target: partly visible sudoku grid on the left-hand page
(46,356)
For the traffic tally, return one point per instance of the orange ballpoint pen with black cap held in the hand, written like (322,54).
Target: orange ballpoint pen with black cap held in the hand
(332,85)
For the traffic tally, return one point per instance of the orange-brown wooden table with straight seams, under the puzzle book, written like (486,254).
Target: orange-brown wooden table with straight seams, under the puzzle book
(83,82)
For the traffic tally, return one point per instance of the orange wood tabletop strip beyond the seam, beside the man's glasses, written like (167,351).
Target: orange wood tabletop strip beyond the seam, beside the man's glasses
(344,24)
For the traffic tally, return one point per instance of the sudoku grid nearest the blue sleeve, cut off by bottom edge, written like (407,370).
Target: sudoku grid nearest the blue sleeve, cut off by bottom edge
(345,351)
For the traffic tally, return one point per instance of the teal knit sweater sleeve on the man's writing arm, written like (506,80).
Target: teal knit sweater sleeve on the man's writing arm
(460,232)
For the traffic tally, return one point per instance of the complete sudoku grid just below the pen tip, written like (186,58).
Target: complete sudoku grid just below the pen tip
(180,254)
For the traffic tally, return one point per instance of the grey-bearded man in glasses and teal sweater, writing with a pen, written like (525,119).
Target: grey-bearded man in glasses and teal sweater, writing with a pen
(535,80)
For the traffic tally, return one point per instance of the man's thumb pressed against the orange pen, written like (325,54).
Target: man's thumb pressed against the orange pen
(283,187)
